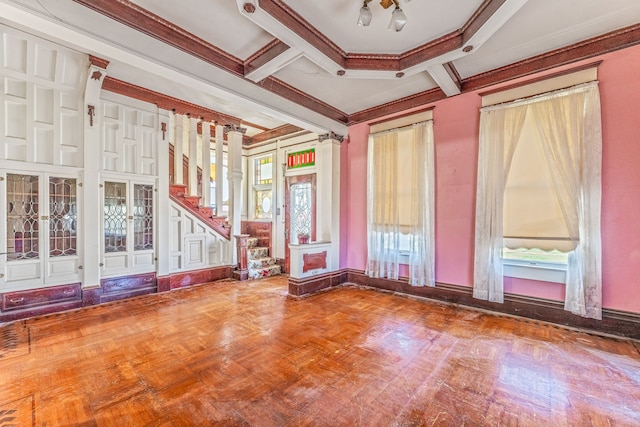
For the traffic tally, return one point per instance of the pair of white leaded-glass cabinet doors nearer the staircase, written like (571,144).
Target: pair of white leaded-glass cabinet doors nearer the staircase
(128,218)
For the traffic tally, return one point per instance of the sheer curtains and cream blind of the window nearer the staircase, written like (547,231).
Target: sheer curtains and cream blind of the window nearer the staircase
(387,195)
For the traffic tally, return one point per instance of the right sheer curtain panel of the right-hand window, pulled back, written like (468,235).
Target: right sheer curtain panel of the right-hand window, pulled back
(569,128)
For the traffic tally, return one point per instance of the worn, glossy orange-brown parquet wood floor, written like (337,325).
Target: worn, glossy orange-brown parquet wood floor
(244,354)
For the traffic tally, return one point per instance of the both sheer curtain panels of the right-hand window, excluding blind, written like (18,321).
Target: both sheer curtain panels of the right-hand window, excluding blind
(569,128)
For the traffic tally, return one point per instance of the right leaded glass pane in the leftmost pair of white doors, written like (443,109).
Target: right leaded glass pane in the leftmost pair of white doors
(63,216)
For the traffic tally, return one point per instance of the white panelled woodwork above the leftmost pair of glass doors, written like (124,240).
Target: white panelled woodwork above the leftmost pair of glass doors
(40,100)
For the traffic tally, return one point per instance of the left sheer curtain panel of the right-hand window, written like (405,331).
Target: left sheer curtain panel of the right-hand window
(500,130)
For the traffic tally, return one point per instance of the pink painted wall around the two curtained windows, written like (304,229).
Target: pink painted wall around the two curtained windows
(456,123)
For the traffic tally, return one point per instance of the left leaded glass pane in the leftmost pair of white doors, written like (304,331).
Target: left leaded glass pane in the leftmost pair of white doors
(22,217)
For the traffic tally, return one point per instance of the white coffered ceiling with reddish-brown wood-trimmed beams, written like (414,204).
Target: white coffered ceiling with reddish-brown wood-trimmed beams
(306,63)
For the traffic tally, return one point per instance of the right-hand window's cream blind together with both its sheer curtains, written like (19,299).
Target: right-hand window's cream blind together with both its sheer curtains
(568,135)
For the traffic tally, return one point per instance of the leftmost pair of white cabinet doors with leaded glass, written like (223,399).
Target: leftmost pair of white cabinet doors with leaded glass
(41,230)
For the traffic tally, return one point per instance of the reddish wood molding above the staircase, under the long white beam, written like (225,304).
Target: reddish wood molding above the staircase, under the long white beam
(166,102)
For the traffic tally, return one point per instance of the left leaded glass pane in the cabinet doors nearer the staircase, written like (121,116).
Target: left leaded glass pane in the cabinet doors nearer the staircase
(115,217)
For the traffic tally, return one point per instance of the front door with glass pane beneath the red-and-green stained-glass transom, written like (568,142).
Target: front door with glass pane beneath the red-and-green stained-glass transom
(299,211)
